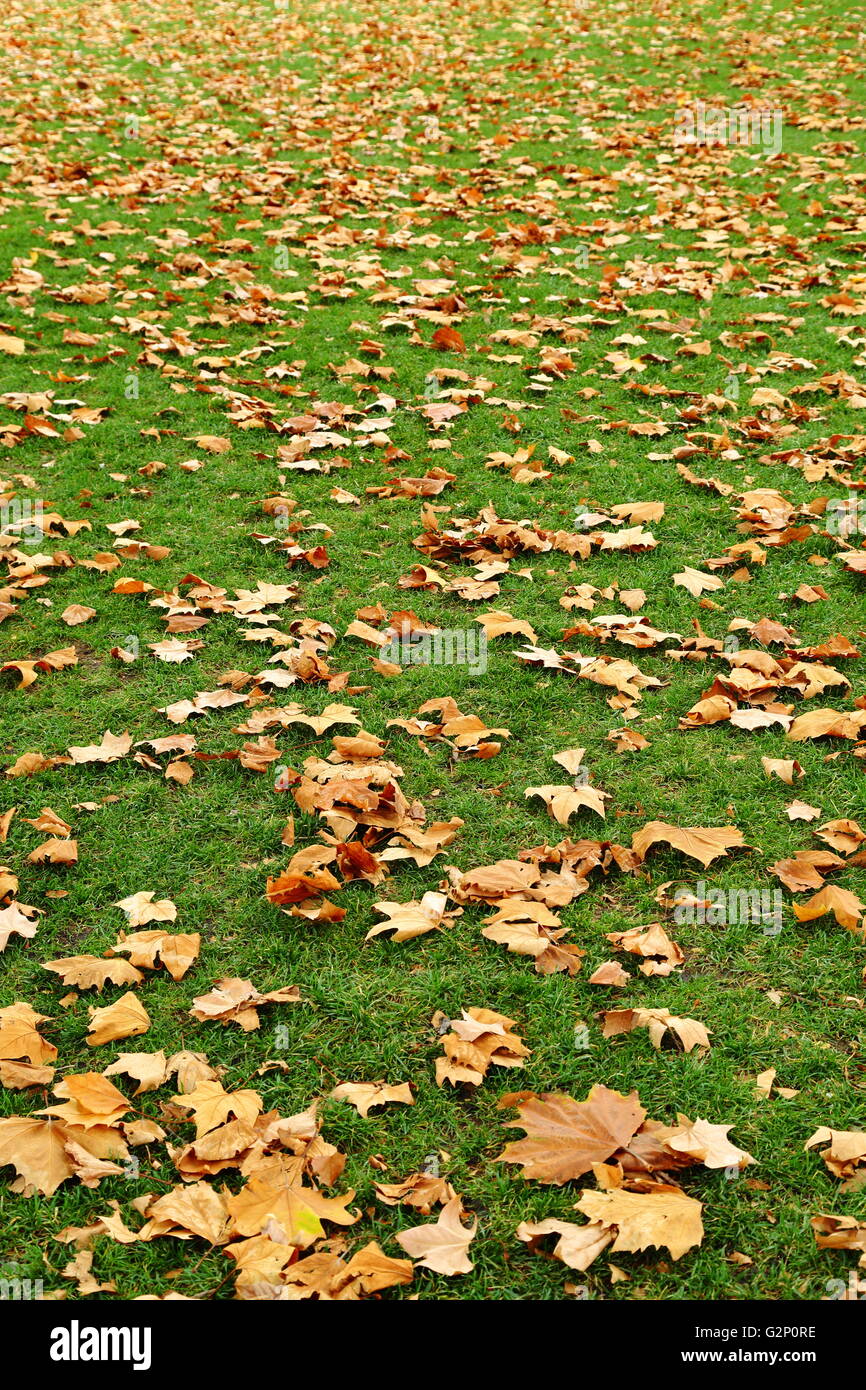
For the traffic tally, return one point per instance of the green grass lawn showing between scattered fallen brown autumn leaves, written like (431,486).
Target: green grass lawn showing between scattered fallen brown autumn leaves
(309,129)
